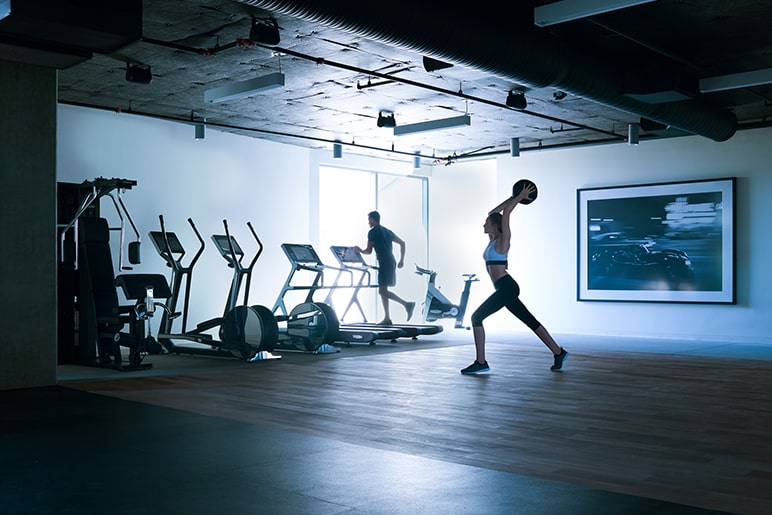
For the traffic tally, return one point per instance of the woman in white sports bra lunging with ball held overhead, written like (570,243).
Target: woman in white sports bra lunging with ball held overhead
(507,290)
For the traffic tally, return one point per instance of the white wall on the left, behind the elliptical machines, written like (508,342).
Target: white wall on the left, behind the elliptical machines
(225,176)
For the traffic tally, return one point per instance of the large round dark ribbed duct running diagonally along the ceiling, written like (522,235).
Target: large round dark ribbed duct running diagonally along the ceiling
(517,52)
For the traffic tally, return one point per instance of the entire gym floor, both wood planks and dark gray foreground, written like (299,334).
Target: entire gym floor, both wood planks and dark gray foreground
(630,426)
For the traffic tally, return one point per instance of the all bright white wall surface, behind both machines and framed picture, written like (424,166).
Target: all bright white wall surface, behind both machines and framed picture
(274,186)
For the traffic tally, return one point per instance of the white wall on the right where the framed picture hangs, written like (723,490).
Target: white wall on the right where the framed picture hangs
(543,259)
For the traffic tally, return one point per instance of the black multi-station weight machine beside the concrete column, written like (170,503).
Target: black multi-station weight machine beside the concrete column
(92,322)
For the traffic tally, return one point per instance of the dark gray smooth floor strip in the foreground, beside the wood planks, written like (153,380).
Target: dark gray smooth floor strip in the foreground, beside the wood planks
(71,452)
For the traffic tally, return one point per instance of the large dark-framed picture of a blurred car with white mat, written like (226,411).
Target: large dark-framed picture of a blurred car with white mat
(668,242)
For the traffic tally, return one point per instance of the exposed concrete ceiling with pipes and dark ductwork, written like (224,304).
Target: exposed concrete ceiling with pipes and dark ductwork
(344,62)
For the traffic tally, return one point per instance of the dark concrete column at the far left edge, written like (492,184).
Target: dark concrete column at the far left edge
(27,225)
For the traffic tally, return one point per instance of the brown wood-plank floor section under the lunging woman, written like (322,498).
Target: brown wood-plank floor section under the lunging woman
(685,429)
